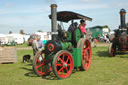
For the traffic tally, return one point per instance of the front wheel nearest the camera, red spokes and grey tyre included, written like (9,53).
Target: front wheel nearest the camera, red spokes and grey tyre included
(62,64)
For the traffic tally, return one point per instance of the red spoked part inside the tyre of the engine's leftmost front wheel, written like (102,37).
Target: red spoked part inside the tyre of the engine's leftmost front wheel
(40,65)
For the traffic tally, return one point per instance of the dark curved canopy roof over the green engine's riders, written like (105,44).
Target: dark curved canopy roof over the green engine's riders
(65,16)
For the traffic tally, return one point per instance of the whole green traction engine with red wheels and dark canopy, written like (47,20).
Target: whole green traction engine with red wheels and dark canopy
(66,50)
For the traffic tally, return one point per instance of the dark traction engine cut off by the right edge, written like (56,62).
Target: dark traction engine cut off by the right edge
(120,41)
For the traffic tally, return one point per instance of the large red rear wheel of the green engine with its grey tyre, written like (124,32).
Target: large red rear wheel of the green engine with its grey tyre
(84,44)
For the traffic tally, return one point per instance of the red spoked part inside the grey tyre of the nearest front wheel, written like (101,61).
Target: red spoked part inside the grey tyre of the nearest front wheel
(64,65)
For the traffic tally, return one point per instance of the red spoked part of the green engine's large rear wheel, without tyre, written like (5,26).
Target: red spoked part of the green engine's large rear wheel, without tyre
(86,54)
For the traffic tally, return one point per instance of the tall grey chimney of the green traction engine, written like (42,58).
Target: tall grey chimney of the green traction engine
(53,21)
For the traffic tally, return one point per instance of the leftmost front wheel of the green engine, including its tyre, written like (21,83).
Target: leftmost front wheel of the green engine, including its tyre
(41,67)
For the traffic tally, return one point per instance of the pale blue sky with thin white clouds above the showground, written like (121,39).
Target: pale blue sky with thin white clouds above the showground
(32,15)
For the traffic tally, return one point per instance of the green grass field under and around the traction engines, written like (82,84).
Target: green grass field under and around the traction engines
(104,70)
